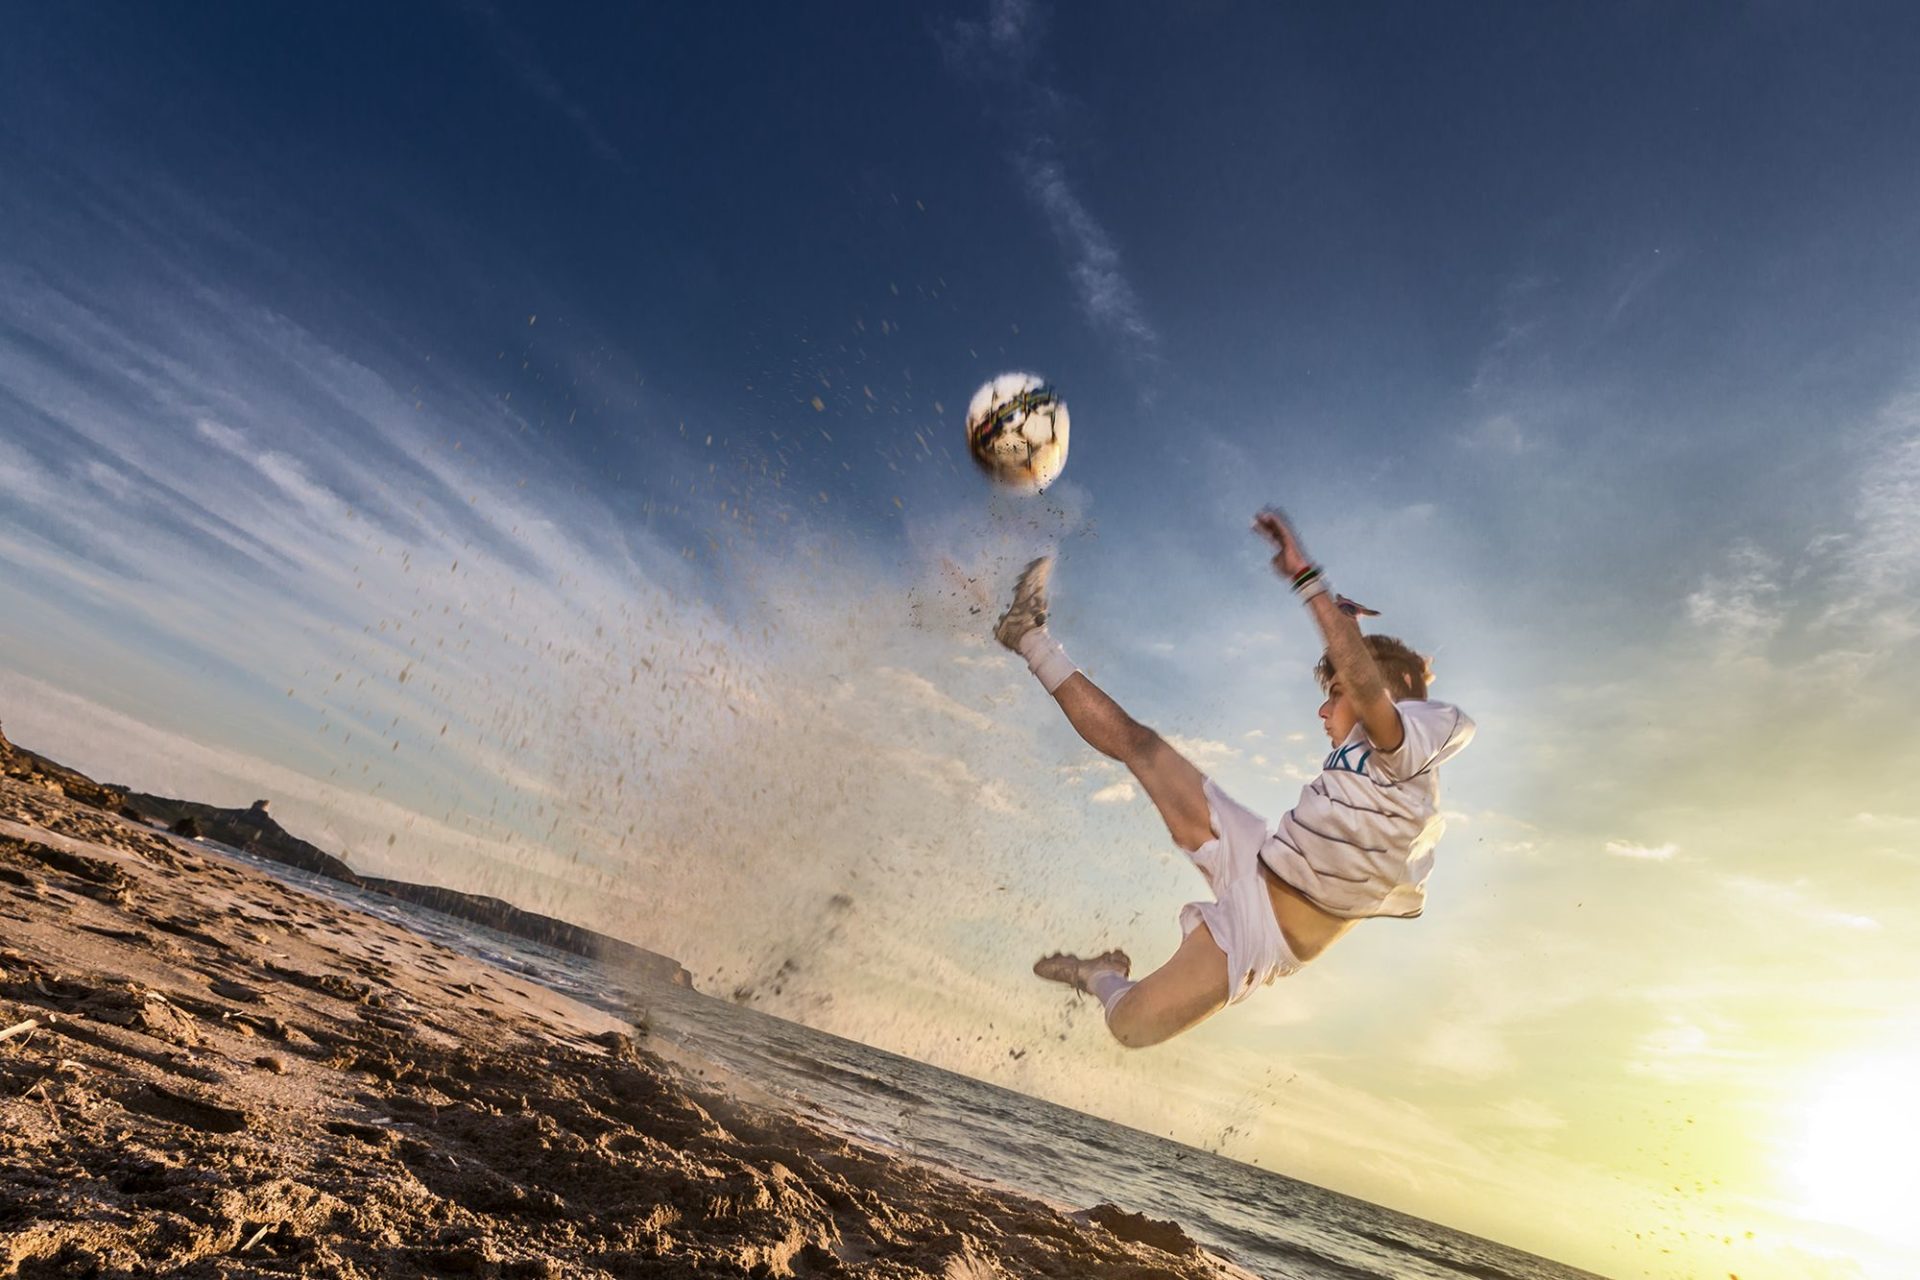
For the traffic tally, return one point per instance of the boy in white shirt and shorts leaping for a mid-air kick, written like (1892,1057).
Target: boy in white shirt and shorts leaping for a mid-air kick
(1356,845)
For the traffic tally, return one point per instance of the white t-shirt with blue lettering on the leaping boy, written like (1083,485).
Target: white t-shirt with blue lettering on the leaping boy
(1362,840)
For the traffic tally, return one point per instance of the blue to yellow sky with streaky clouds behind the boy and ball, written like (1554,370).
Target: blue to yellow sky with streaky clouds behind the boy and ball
(525,446)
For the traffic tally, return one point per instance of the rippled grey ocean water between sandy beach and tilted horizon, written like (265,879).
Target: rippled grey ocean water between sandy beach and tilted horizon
(1262,1221)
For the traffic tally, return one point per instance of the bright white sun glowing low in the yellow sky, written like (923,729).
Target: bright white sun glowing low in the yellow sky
(1860,1162)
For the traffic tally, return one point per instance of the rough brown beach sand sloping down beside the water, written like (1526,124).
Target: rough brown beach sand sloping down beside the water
(210,1074)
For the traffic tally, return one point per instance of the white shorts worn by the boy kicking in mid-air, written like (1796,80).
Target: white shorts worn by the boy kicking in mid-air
(1241,914)
